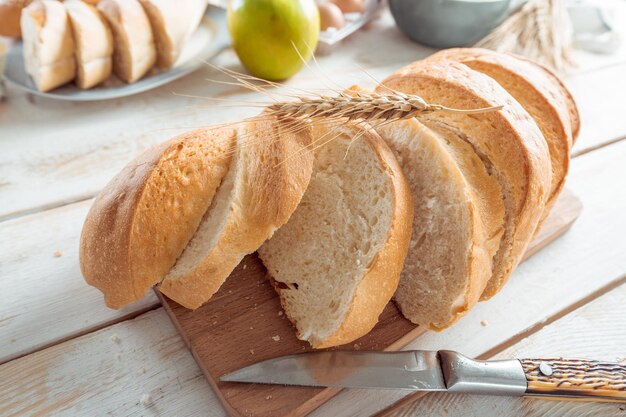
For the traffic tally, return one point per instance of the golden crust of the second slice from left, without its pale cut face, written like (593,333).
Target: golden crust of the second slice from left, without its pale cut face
(276,176)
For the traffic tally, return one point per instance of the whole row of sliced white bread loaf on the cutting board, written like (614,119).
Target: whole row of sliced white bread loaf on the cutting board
(434,211)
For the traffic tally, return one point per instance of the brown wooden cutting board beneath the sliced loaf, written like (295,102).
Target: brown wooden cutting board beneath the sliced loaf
(243,324)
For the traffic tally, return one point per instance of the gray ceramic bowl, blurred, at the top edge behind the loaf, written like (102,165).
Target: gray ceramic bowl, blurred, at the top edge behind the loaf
(448,23)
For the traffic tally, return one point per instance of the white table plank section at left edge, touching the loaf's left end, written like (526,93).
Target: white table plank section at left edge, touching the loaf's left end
(44,297)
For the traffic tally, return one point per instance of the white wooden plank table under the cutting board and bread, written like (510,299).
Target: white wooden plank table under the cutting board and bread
(62,352)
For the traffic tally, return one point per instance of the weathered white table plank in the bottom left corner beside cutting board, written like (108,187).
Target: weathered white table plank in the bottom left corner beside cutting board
(136,368)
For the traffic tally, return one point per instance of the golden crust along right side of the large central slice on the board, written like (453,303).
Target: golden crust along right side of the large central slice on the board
(381,280)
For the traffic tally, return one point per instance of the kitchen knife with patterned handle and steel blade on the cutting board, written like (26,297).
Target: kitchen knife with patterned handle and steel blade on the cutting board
(445,370)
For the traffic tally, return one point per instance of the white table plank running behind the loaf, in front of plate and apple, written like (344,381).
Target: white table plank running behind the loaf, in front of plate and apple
(66,152)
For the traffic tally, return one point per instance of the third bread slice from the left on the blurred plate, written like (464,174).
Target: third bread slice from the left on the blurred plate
(134,53)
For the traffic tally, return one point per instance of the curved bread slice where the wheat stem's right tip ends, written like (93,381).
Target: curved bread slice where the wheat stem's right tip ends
(508,142)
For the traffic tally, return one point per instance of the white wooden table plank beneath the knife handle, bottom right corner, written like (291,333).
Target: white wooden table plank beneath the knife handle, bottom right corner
(596,330)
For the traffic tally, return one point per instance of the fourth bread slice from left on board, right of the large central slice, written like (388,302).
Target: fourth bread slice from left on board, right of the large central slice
(450,256)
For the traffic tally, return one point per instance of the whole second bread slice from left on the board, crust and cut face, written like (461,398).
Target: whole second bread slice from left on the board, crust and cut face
(263,186)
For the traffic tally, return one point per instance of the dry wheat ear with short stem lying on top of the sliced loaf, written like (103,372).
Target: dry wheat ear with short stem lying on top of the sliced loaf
(361,107)
